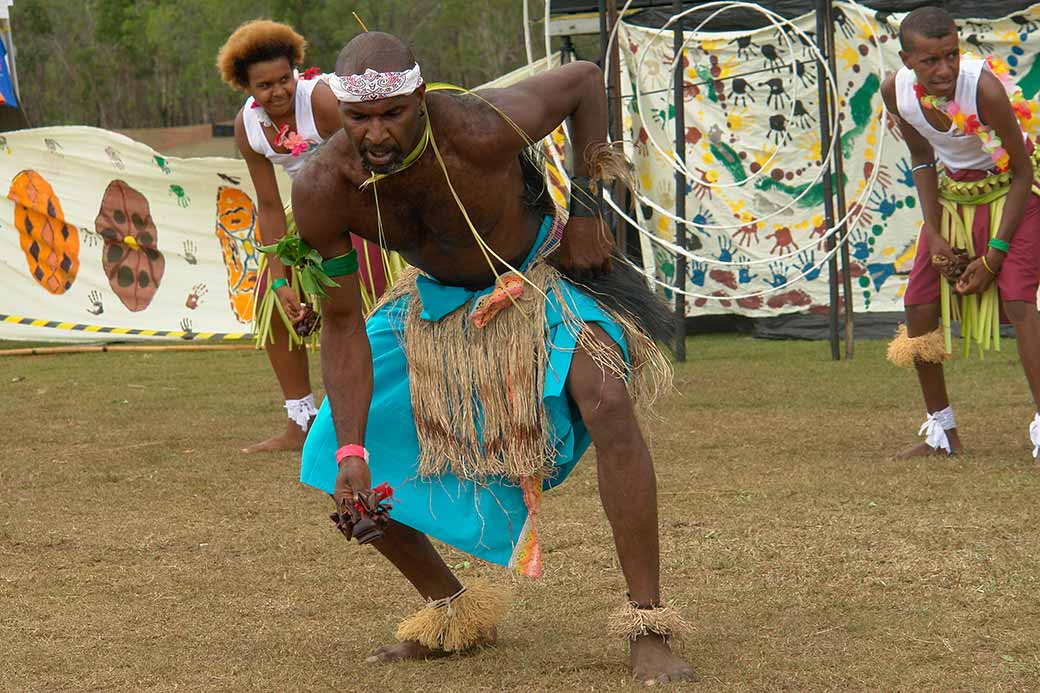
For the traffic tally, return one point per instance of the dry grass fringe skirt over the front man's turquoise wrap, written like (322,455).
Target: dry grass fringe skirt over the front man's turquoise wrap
(488,417)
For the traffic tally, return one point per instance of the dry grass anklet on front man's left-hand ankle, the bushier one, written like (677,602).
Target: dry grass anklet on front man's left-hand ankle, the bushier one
(459,624)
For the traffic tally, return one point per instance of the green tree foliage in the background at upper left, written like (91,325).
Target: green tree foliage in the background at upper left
(126,64)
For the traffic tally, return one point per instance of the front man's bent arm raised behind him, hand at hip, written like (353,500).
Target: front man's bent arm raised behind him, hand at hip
(538,106)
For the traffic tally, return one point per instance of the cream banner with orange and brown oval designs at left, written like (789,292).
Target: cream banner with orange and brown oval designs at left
(101,239)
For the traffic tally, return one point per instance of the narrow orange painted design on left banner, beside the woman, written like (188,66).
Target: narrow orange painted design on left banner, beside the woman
(238,228)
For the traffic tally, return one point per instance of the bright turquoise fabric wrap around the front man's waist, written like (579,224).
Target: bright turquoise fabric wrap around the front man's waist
(484,520)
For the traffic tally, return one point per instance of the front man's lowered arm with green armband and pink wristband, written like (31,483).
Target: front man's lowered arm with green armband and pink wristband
(347,356)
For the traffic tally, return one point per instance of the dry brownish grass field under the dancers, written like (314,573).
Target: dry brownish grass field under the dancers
(141,552)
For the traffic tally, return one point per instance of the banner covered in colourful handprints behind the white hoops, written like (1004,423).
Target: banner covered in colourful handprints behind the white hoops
(743,107)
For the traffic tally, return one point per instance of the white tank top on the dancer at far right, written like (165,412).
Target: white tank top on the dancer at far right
(956,150)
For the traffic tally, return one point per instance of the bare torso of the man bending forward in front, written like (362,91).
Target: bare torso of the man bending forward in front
(421,218)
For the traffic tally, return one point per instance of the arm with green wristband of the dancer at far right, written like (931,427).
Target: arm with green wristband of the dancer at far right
(995,109)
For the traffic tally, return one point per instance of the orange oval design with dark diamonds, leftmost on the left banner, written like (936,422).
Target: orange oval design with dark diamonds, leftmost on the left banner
(51,247)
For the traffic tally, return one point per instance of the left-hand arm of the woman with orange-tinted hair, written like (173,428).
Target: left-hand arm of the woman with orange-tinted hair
(273,225)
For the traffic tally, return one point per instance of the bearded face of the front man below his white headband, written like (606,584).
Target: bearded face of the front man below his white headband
(385,132)
